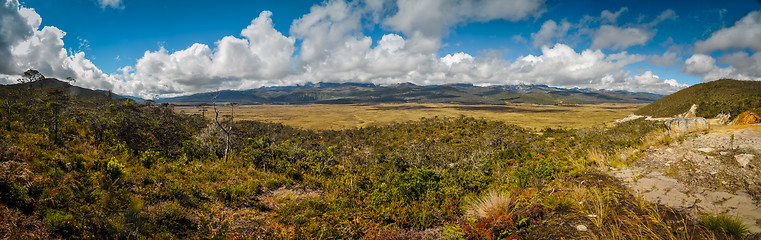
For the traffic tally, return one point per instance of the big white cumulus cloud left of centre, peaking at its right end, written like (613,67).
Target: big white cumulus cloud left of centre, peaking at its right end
(262,55)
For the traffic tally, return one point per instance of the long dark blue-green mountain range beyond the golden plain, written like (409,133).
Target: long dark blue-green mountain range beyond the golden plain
(364,93)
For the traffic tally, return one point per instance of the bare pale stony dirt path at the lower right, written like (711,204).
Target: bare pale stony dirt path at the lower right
(707,172)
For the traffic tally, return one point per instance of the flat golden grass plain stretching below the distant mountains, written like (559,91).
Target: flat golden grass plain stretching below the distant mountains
(344,116)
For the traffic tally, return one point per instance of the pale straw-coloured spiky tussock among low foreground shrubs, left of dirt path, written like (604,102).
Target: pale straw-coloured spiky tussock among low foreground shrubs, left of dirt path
(493,203)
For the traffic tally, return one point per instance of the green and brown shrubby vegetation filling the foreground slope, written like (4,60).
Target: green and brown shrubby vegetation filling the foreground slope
(101,169)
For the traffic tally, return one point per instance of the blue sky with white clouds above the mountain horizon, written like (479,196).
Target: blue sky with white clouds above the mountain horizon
(155,49)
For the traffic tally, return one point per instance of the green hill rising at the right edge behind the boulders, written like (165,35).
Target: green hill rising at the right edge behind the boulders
(725,95)
